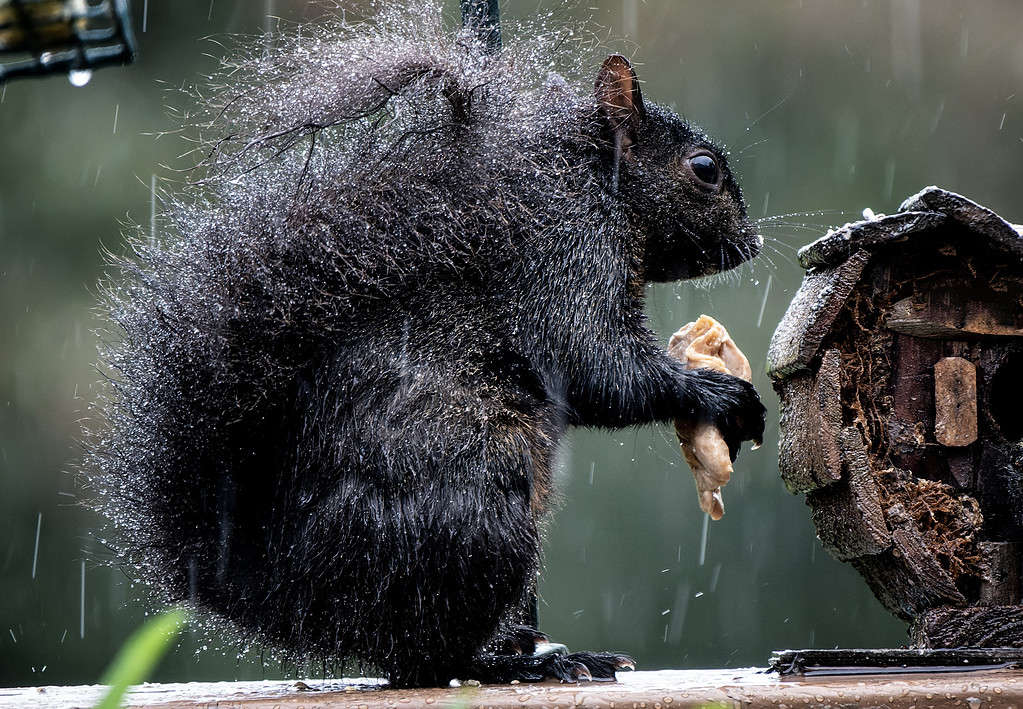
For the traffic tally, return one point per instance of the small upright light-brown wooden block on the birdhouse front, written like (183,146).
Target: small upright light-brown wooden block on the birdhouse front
(955,403)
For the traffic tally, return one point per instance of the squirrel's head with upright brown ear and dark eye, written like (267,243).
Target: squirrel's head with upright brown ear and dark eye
(675,182)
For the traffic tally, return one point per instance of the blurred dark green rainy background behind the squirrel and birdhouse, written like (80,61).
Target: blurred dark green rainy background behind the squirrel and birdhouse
(828,107)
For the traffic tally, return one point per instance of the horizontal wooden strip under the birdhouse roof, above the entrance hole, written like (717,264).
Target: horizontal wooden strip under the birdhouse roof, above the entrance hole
(949,314)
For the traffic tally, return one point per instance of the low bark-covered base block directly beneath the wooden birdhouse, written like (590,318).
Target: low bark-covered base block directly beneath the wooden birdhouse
(977,627)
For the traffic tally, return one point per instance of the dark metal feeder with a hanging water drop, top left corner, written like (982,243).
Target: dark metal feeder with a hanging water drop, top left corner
(74,37)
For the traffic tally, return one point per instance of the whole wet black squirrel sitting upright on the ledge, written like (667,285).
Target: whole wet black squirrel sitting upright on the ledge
(337,386)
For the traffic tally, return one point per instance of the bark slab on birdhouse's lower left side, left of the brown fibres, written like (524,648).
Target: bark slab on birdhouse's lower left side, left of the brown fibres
(849,516)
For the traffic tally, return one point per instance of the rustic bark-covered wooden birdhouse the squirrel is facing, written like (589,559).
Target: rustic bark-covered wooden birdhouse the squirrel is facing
(900,366)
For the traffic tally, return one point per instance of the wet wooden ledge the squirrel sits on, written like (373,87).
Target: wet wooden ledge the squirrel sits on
(658,690)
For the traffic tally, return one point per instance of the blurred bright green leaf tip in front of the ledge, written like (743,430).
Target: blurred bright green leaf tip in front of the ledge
(140,655)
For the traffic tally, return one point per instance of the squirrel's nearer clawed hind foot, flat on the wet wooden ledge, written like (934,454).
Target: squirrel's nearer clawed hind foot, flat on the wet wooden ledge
(569,669)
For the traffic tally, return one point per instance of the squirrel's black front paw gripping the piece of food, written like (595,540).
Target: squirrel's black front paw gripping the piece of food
(734,407)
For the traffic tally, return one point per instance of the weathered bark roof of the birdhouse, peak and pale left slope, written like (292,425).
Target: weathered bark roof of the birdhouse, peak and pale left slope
(836,261)
